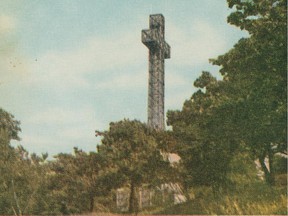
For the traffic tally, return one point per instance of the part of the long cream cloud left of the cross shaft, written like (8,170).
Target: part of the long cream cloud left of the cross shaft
(97,61)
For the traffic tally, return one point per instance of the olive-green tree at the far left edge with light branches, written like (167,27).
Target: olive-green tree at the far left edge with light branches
(21,173)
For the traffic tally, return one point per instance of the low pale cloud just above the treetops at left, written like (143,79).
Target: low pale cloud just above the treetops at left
(57,130)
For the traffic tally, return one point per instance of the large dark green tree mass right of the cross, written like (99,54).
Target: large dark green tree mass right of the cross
(248,108)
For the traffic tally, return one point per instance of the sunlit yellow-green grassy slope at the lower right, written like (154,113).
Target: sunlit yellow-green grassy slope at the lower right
(252,200)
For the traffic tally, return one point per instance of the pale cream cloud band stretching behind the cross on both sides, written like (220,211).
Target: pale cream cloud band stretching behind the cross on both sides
(108,62)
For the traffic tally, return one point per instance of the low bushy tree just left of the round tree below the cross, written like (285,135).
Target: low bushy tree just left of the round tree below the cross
(76,180)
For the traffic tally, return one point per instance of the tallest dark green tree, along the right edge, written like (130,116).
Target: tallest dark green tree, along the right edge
(256,71)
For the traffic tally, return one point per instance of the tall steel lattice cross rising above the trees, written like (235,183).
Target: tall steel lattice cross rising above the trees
(154,39)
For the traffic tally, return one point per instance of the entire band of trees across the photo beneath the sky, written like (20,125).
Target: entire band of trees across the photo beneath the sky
(243,114)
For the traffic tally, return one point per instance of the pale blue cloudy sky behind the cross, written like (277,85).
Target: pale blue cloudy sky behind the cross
(70,67)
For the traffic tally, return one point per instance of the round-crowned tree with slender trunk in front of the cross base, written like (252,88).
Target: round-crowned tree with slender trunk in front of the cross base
(133,153)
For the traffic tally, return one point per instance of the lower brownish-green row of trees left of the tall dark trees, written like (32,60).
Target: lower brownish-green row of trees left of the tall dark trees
(130,155)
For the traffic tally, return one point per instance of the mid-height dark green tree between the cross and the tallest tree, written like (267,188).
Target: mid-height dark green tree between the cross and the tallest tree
(205,150)
